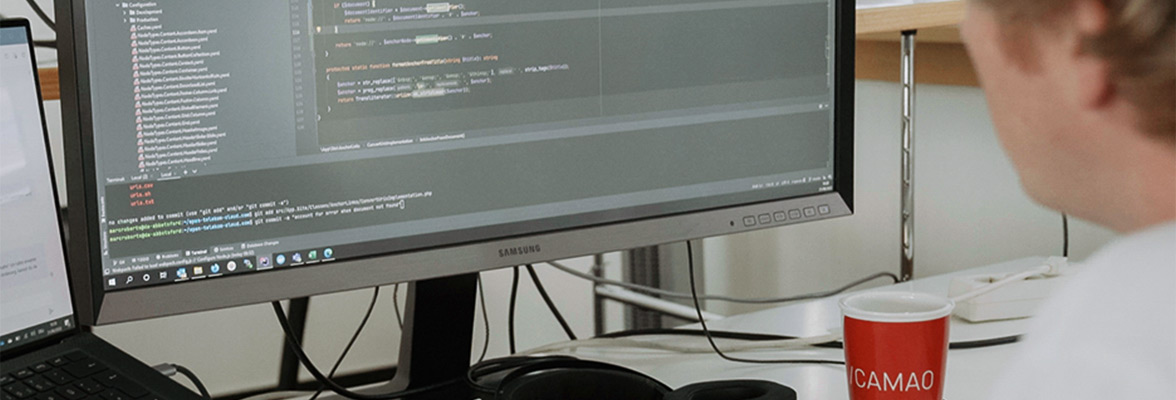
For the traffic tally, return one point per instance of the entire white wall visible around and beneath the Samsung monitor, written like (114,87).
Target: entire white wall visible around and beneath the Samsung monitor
(971,212)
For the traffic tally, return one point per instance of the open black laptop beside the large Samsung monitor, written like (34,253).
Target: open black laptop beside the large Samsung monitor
(44,354)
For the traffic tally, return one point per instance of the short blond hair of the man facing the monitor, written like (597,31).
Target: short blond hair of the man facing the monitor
(1139,45)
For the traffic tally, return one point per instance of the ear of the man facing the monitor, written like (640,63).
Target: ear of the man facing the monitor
(1091,75)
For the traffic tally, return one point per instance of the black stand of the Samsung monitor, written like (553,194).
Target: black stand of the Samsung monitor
(436,341)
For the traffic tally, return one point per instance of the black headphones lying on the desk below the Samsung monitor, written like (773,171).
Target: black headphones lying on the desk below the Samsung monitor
(567,378)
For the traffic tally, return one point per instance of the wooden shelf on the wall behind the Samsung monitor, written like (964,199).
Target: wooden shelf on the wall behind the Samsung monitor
(940,56)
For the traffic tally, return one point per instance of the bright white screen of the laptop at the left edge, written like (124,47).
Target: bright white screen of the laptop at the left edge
(35,289)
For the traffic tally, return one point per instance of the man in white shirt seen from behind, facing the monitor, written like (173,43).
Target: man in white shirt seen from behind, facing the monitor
(1084,98)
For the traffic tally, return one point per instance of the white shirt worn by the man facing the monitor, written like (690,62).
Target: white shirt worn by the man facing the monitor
(1111,334)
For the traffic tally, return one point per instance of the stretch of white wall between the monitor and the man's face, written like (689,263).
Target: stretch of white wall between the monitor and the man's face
(970,209)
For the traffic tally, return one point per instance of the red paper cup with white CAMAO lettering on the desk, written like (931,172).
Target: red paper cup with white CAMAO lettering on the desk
(897,345)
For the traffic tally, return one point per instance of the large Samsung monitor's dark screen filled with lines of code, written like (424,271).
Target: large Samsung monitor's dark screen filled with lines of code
(232,138)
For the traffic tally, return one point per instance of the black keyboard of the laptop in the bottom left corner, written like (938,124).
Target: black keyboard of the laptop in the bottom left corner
(71,377)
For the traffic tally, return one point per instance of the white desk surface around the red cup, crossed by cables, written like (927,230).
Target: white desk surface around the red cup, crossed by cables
(971,372)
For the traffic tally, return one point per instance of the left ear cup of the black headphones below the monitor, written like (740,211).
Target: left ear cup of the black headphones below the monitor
(583,384)
